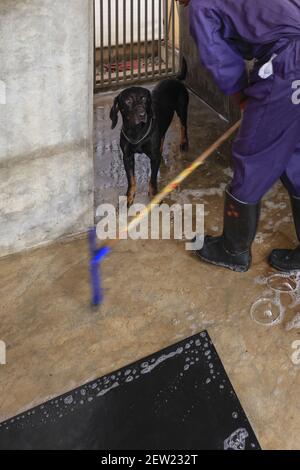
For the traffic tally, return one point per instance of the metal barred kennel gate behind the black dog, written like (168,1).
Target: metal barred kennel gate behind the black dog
(135,40)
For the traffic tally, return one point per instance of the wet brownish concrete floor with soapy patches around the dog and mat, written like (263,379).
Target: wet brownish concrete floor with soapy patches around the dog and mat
(155,294)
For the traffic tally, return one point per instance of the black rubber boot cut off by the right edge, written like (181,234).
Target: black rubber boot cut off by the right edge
(289,260)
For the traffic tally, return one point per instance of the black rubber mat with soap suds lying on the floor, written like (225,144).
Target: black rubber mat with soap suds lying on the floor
(179,398)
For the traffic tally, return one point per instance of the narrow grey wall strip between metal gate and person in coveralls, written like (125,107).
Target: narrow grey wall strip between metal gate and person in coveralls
(199,79)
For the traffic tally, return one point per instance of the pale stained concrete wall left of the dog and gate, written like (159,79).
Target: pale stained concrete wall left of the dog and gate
(46,153)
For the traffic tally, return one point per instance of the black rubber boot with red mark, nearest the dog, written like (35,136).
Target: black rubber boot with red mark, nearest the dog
(232,250)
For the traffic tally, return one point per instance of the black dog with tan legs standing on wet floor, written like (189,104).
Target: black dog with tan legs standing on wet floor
(146,119)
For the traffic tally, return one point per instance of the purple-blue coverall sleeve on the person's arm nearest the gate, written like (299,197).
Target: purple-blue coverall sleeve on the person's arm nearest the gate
(224,62)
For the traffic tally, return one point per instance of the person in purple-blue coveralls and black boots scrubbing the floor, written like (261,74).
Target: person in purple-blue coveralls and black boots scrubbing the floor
(228,32)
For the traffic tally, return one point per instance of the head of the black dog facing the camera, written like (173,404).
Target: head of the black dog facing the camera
(134,104)
